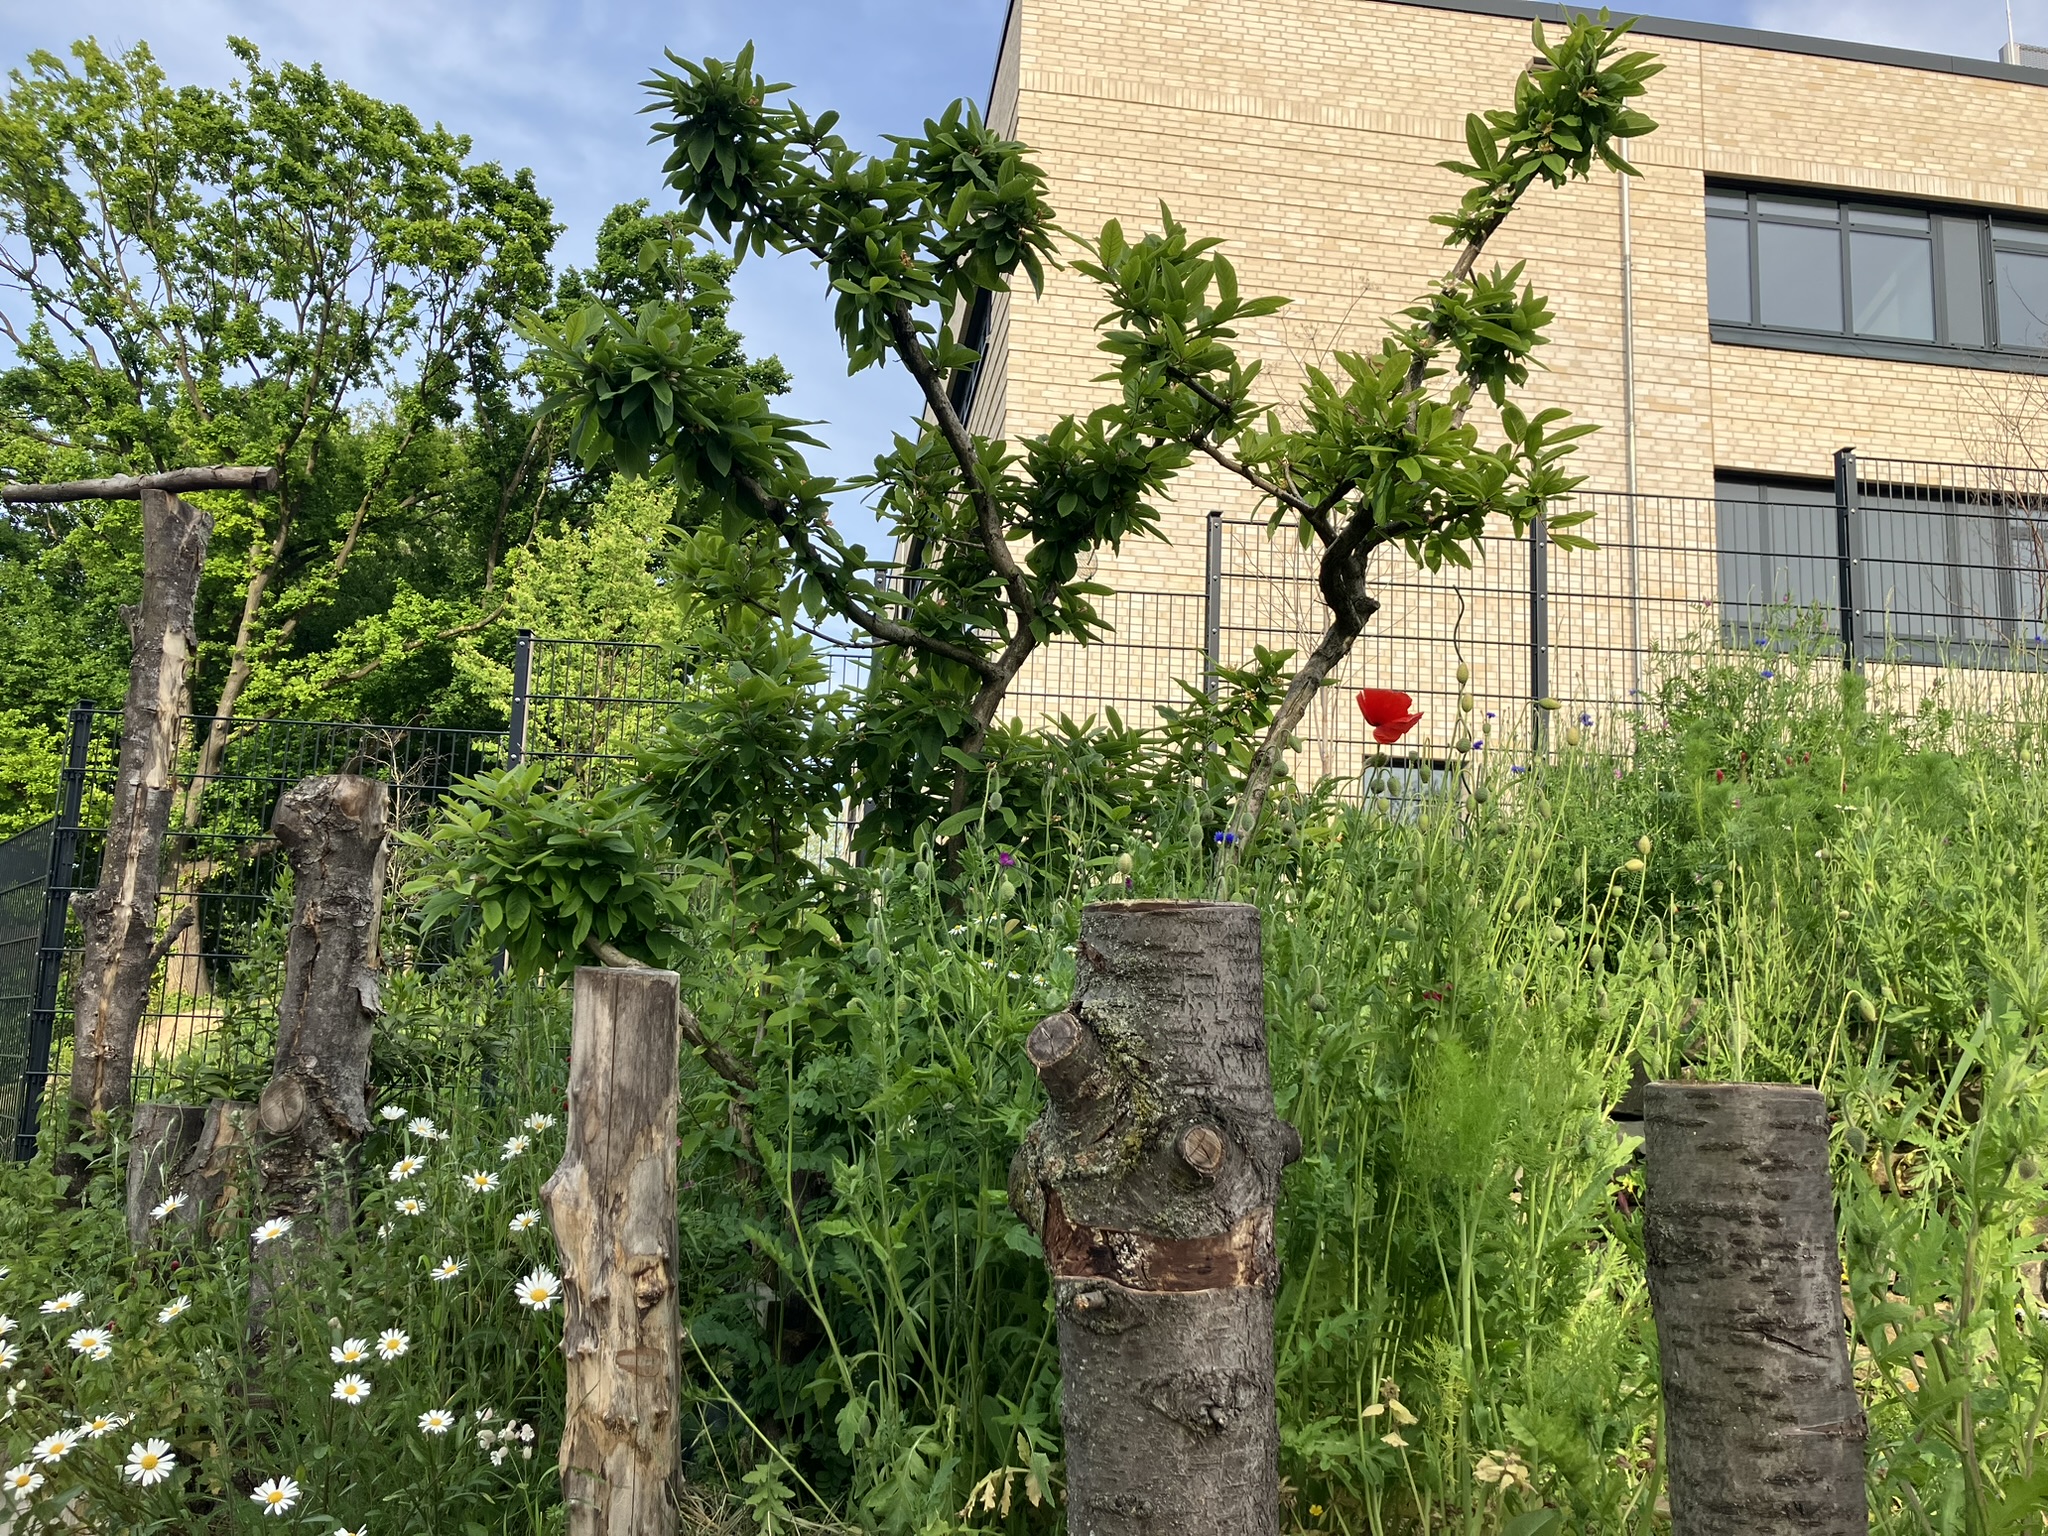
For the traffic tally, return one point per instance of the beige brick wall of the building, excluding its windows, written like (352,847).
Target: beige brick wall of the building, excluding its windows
(1308,138)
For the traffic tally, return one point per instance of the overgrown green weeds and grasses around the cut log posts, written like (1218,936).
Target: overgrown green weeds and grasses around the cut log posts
(1754,878)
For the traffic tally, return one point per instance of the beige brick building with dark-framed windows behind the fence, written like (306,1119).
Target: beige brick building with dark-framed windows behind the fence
(1830,247)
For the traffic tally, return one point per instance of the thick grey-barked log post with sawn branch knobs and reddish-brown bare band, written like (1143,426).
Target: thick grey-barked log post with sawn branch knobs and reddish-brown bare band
(1152,1183)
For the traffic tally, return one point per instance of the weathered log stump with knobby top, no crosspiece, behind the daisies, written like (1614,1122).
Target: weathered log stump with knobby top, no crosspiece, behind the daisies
(312,1113)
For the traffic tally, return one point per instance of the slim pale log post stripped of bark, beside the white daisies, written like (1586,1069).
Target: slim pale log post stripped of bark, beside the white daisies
(613,1209)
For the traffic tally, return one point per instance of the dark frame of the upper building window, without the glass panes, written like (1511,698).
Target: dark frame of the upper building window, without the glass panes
(1846,341)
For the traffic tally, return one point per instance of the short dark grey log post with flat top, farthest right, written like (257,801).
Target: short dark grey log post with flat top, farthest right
(1762,1426)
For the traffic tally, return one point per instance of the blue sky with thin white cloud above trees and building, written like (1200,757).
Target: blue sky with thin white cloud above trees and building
(554,85)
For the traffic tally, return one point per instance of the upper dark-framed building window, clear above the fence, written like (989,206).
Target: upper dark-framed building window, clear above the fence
(1875,280)
